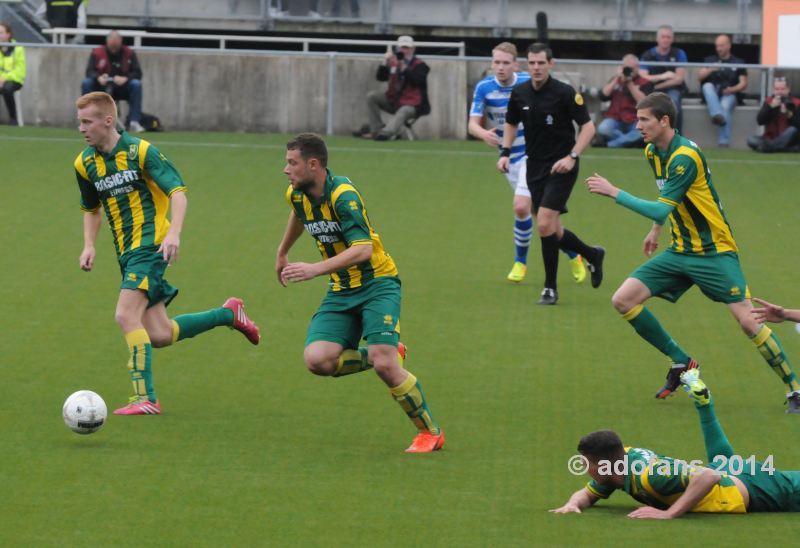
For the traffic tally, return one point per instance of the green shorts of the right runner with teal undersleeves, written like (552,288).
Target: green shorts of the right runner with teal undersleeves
(669,275)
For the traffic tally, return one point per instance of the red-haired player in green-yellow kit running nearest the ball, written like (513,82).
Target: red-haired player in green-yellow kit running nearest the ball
(136,186)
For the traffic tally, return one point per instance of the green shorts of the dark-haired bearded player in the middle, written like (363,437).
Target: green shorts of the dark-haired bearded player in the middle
(371,312)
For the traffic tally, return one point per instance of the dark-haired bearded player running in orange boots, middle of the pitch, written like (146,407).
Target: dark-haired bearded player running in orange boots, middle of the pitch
(364,296)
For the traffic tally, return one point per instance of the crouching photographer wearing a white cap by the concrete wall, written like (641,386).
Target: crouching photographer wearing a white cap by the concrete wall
(406,96)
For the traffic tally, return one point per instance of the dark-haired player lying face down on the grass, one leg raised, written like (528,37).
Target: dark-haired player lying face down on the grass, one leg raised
(670,488)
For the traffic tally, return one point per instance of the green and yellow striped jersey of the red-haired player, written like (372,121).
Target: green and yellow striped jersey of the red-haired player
(133,183)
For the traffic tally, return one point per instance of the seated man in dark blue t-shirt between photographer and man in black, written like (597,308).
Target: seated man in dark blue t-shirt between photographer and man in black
(669,79)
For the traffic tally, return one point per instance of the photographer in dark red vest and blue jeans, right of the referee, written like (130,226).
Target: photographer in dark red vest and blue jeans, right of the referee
(624,90)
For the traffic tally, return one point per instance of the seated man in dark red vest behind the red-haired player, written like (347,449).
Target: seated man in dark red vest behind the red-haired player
(114,68)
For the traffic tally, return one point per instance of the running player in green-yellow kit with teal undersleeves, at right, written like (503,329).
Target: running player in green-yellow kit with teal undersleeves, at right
(703,251)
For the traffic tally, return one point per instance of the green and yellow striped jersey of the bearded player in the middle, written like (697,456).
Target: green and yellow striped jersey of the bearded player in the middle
(336,221)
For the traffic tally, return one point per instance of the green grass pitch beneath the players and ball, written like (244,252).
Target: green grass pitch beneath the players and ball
(253,450)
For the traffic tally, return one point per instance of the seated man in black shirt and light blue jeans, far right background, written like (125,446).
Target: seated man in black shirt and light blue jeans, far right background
(722,87)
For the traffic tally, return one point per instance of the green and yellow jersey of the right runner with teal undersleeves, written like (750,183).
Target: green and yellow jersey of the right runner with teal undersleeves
(699,226)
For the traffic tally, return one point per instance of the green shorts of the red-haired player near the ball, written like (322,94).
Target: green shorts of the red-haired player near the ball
(143,268)
